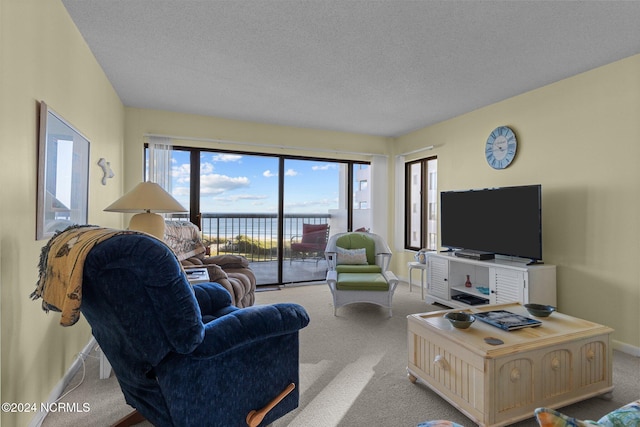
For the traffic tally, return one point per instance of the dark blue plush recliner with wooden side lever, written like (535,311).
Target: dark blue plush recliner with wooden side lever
(183,355)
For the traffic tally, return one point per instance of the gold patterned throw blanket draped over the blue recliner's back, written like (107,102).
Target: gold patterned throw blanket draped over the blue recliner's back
(61,267)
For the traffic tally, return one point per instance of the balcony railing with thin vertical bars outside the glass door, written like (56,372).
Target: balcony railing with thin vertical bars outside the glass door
(254,236)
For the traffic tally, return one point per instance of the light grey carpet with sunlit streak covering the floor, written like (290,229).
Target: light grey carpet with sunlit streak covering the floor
(352,371)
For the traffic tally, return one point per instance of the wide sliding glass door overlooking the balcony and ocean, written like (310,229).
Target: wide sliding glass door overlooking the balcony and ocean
(277,211)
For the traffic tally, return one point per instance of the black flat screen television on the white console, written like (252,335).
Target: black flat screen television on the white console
(504,220)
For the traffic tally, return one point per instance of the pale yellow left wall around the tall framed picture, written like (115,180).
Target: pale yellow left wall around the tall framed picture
(43,57)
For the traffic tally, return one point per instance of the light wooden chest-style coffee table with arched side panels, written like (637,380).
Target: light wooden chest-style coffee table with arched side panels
(563,361)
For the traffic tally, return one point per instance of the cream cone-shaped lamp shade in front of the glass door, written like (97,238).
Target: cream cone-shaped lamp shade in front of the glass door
(146,197)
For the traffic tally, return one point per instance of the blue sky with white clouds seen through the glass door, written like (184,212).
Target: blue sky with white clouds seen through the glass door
(249,184)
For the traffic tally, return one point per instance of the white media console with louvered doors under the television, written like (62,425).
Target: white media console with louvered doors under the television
(503,281)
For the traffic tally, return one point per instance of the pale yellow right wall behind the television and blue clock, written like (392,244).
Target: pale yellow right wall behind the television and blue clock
(580,139)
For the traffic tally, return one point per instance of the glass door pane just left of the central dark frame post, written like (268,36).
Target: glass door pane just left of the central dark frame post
(239,199)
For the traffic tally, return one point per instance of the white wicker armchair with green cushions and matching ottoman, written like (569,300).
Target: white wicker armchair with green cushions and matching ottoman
(359,270)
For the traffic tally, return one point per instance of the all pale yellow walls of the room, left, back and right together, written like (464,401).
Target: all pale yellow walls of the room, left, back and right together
(578,138)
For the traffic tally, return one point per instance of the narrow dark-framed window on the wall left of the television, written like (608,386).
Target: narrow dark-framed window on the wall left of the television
(421,204)
